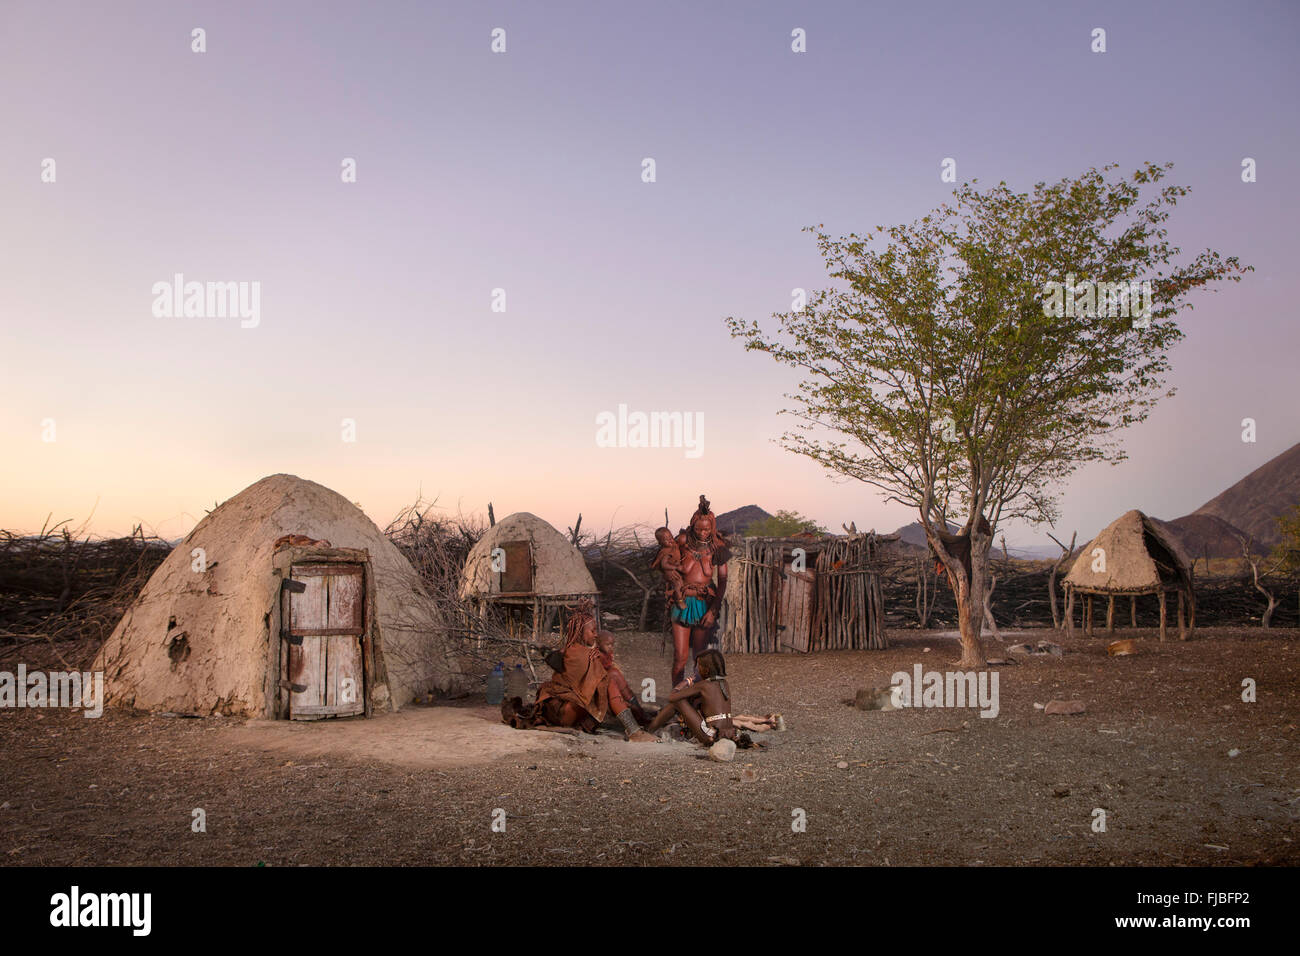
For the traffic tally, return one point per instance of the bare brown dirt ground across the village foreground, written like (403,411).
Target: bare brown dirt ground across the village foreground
(920,786)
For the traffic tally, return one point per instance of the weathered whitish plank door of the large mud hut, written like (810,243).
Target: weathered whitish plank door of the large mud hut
(327,621)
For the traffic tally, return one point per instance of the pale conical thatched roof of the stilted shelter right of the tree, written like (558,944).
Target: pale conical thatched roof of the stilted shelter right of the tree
(1141,556)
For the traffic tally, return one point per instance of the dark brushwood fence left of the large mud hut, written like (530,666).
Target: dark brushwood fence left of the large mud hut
(64,586)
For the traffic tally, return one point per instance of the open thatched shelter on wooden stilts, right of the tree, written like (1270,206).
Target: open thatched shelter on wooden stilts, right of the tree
(1133,557)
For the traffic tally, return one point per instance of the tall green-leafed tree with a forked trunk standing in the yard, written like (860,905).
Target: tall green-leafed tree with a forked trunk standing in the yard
(960,364)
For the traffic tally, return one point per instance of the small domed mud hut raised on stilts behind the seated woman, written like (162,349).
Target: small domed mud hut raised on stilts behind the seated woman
(530,569)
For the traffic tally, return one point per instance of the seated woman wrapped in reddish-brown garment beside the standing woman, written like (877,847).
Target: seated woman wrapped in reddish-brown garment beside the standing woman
(579,695)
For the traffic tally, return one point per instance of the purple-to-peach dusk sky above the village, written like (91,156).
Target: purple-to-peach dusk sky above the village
(378,364)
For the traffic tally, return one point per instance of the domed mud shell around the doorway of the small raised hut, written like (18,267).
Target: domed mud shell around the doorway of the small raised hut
(560,569)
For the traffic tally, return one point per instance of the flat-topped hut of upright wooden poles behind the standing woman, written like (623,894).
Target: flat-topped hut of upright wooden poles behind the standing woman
(804,594)
